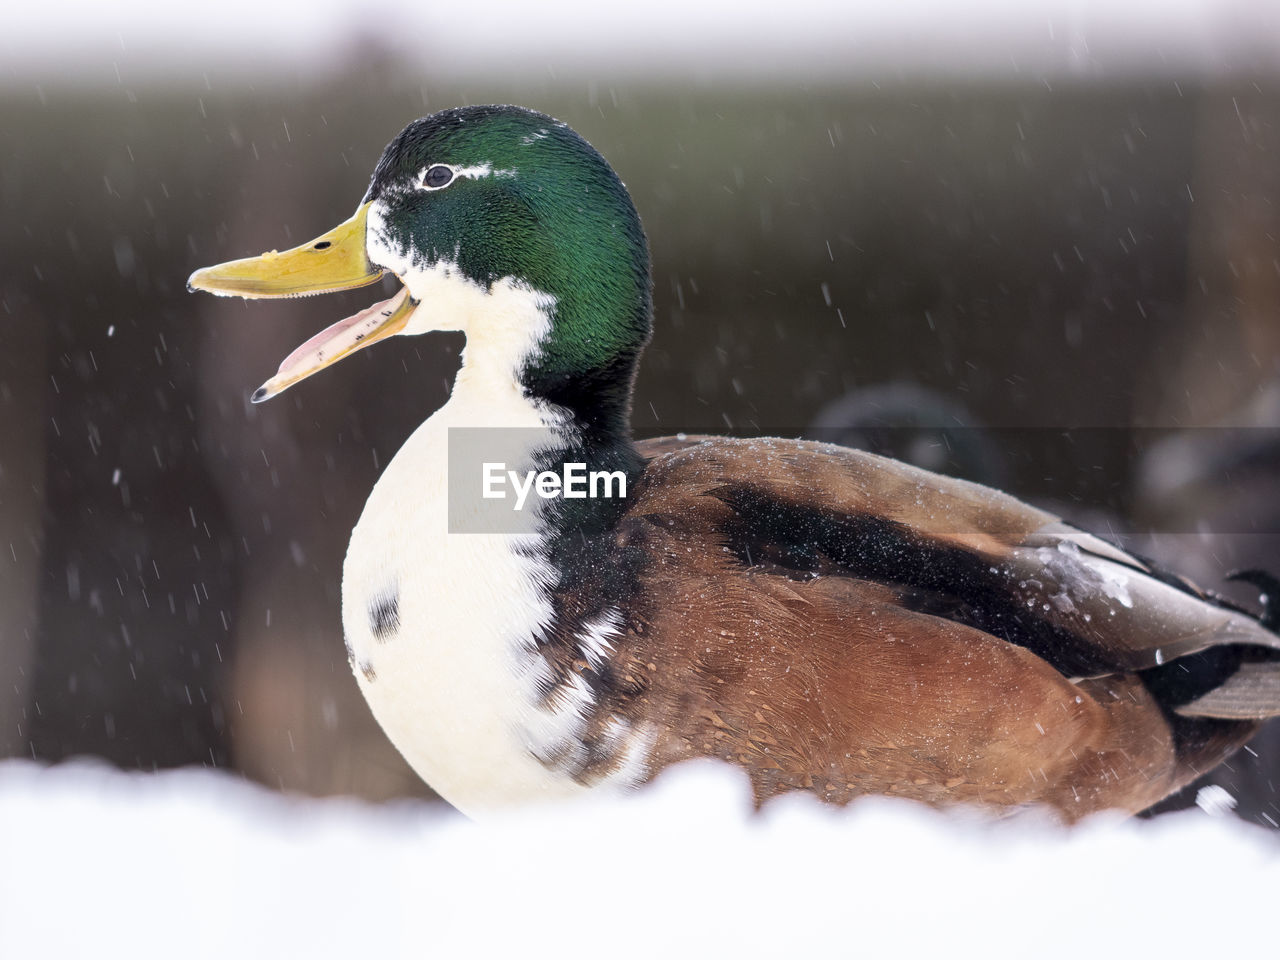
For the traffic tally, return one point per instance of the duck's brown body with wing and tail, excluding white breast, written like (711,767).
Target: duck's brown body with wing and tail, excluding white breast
(839,623)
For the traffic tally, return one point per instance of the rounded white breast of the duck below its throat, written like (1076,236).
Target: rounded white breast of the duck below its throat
(449,684)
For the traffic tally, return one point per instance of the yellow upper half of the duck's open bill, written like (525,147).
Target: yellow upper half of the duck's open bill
(333,262)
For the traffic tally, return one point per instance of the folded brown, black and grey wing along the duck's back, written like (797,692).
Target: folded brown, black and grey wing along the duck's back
(953,550)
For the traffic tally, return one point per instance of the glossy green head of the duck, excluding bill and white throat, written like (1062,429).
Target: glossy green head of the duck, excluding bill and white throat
(505,194)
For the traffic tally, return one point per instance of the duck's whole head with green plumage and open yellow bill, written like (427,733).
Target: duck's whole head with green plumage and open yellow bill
(474,208)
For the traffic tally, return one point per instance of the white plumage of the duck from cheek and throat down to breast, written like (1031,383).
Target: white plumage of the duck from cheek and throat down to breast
(441,628)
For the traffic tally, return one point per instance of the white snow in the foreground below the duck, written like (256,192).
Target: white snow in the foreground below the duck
(99,863)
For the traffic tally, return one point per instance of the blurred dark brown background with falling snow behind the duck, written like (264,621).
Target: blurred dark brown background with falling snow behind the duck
(1034,245)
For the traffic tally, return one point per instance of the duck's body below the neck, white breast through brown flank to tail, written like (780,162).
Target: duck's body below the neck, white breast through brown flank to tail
(843,668)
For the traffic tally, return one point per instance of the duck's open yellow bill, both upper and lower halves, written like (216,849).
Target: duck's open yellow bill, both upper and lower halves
(333,262)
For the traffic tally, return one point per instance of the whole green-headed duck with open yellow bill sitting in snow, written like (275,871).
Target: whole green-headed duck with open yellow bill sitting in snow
(824,619)
